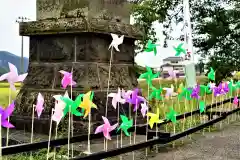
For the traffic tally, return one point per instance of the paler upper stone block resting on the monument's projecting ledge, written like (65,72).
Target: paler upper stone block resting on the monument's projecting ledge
(116,10)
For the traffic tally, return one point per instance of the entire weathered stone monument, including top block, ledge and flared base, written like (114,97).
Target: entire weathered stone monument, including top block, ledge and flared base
(75,34)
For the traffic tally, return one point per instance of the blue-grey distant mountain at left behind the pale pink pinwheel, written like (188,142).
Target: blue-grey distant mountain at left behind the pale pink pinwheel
(6,57)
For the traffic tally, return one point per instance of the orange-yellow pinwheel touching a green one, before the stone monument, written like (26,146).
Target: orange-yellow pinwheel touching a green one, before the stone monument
(87,103)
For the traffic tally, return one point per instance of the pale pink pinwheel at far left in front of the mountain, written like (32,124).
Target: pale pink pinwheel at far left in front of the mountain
(12,76)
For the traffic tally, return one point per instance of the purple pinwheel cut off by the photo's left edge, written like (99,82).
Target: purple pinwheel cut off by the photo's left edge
(5,113)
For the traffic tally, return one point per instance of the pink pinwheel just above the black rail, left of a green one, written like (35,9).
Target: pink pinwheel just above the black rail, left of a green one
(106,128)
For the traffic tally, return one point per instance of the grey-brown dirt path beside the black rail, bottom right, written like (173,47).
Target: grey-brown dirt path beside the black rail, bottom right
(219,145)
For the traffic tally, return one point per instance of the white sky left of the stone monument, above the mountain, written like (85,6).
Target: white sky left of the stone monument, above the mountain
(10,10)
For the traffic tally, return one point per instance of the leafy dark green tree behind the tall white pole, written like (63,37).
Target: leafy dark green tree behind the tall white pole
(216,28)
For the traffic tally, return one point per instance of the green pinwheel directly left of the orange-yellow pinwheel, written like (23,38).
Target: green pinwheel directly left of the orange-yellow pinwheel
(71,106)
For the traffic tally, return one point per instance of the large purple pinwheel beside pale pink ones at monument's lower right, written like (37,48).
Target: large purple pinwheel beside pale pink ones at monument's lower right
(135,99)
